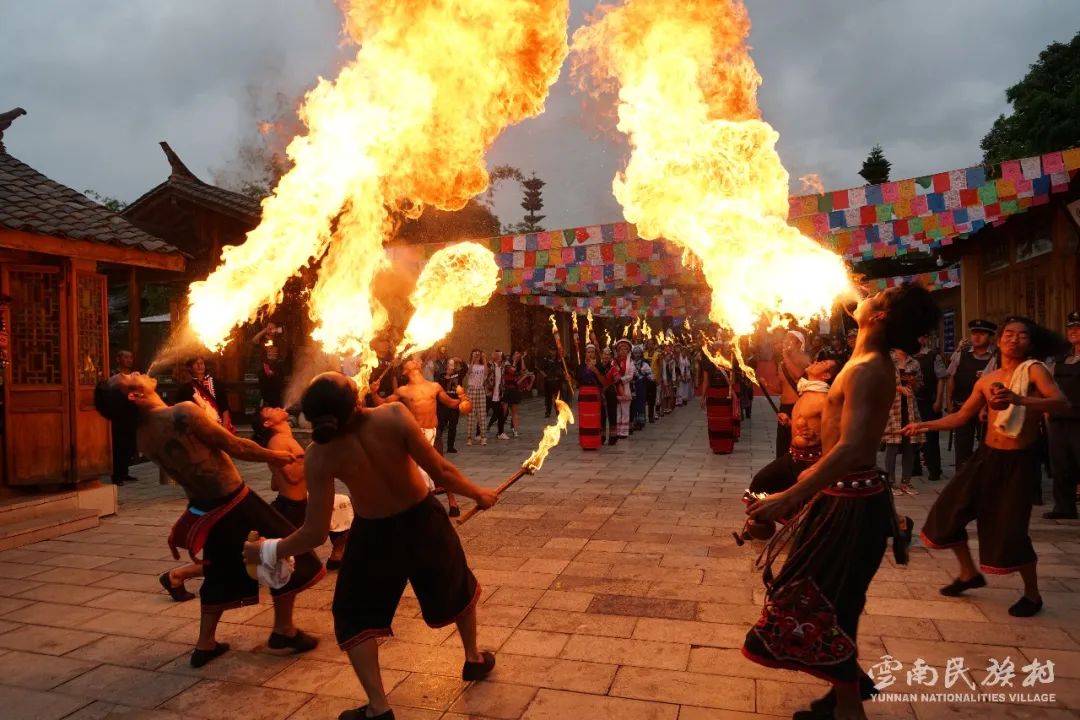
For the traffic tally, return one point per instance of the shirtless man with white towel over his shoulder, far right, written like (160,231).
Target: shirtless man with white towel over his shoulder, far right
(995,486)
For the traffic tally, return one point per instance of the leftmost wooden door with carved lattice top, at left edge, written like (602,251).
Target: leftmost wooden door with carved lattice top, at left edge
(37,441)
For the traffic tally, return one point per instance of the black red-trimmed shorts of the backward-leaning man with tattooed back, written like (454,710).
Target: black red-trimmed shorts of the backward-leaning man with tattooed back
(226,581)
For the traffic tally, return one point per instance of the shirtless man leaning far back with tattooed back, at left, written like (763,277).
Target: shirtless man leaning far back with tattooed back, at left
(222,510)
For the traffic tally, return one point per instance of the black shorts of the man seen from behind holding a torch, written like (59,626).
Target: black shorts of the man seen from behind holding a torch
(420,547)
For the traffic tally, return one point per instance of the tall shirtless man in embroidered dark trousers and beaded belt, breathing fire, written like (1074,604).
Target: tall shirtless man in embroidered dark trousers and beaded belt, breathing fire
(841,538)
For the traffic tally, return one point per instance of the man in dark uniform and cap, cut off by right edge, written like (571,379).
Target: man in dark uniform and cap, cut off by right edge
(1064,428)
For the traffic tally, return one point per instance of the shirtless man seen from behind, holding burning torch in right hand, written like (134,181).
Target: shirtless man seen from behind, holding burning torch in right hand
(401,533)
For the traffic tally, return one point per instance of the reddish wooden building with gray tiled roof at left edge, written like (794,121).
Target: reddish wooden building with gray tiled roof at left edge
(57,248)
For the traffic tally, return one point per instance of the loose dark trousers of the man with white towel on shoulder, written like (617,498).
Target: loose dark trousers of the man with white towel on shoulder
(995,488)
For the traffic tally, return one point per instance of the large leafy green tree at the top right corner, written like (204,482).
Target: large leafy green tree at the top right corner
(1046,108)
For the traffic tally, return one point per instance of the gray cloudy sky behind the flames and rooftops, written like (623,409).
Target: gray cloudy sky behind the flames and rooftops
(105,81)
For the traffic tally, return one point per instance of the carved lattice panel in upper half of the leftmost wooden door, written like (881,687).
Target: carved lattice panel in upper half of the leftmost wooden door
(36,328)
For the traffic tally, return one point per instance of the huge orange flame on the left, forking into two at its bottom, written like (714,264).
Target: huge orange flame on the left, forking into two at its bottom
(404,126)
